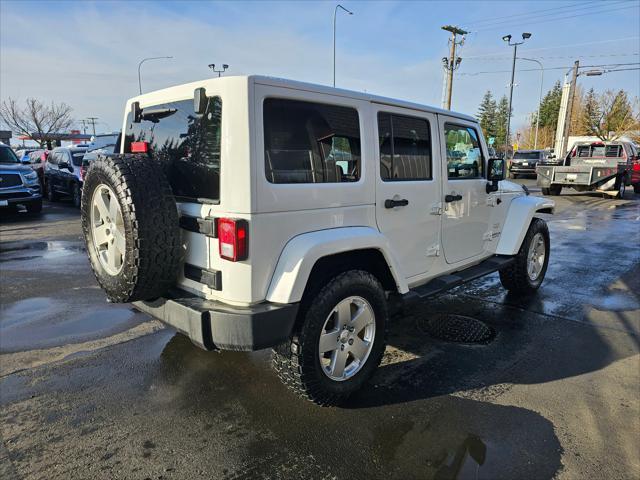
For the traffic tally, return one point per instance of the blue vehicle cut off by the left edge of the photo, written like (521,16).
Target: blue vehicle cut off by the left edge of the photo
(18,182)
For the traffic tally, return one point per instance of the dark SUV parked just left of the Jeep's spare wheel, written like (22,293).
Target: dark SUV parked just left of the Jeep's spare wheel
(63,173)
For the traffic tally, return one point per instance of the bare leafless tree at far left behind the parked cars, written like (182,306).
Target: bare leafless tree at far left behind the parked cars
(36,119)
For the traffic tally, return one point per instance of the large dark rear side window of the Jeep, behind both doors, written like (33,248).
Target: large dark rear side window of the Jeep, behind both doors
(309,142)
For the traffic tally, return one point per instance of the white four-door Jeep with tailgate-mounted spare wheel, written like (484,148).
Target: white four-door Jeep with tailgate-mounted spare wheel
(251,212)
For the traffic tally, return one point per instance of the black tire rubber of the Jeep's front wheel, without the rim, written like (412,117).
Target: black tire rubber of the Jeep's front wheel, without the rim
(515,277)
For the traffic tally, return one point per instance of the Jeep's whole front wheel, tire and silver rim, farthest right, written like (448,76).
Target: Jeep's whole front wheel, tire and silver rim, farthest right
(526,273)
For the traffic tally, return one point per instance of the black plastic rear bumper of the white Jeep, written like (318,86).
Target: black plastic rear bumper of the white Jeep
(214,325)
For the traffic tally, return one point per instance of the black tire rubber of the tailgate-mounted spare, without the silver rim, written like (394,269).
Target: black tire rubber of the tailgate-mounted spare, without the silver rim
(152,236)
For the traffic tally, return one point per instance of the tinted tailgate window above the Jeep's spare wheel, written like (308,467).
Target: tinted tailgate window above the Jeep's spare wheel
(186,146)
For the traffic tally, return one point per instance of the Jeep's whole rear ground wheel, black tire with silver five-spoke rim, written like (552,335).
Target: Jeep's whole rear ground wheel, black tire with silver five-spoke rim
(340,342)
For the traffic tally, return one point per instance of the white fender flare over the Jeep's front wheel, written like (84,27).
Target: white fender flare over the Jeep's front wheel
(521,212)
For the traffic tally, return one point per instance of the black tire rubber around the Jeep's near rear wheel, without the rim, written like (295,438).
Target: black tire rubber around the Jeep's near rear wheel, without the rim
(297,362)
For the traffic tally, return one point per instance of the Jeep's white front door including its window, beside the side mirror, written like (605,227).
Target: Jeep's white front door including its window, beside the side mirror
(466,218)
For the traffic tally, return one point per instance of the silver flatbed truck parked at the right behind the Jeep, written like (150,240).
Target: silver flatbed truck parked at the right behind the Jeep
(607,167)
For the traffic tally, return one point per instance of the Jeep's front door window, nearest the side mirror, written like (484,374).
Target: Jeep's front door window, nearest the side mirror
(464,154)
